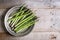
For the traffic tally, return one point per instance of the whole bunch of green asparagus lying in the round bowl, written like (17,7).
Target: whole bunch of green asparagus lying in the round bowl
(22,19)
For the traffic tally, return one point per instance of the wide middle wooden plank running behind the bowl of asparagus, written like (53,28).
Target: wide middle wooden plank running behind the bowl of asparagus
(46,21)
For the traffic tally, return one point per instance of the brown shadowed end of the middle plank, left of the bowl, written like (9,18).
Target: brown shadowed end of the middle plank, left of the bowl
(2,14)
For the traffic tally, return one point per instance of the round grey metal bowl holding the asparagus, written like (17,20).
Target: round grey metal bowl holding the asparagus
(14,9)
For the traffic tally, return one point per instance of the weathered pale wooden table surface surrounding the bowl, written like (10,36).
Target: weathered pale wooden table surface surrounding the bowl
(47,28)
